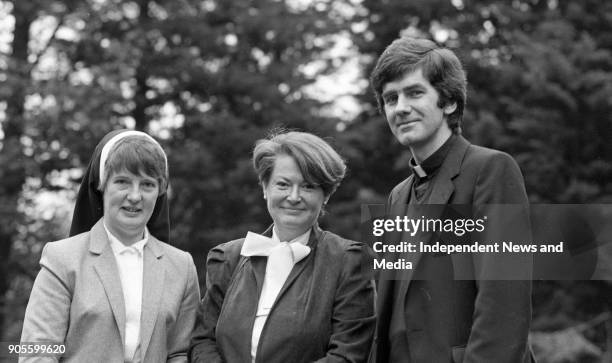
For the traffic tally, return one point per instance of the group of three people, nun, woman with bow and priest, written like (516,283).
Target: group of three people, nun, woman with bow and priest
(114,292)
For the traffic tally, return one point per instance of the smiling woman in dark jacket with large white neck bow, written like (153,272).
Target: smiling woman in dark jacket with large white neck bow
(296,293)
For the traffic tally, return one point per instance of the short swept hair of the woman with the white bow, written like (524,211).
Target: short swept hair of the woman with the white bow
(318,162)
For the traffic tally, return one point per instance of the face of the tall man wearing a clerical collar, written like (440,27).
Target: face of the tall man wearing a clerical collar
(411,107)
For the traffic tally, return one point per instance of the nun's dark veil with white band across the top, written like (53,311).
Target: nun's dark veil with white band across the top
(89,204)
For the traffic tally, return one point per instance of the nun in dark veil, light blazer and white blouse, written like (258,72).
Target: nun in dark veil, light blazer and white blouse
(115,291)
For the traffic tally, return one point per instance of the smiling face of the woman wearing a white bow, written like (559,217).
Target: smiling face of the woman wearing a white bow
(293,204)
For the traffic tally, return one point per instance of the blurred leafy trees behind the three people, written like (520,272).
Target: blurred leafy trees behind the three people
(209,77)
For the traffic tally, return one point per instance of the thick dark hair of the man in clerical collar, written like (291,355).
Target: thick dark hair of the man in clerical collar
(440,66)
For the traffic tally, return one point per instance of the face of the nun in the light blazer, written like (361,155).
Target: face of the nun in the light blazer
(129,200)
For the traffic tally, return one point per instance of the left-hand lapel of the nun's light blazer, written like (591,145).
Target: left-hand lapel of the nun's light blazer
(108,272)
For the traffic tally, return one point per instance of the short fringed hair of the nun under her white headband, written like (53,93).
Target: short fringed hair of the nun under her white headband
(137,154)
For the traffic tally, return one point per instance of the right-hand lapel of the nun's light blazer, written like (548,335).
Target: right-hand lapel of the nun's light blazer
(152,288)
